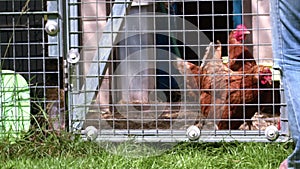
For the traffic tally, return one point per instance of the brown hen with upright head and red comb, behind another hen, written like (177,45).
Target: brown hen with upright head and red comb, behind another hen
(240,58)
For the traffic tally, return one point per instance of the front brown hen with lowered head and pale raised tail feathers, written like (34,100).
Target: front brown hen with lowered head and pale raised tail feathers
(227,97)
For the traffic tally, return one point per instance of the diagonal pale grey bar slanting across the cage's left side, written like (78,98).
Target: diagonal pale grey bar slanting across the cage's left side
(113,26)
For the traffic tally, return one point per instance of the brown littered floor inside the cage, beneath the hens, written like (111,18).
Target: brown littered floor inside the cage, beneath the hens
(170,117)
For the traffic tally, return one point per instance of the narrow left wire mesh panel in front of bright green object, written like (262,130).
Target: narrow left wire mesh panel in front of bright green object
(31,62)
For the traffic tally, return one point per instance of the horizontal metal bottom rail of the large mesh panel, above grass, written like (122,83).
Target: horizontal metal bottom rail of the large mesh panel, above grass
(180,135)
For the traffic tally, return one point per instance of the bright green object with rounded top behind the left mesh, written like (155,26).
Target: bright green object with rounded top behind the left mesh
(15,105)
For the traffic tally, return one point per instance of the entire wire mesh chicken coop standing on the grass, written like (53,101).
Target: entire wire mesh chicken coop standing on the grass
(152,71)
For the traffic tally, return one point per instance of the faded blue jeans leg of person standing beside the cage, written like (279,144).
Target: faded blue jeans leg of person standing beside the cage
(286,52)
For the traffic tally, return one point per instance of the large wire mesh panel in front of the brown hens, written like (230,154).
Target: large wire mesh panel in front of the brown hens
(173,71)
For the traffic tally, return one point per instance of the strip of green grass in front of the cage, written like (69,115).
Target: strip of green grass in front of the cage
(62,152)
